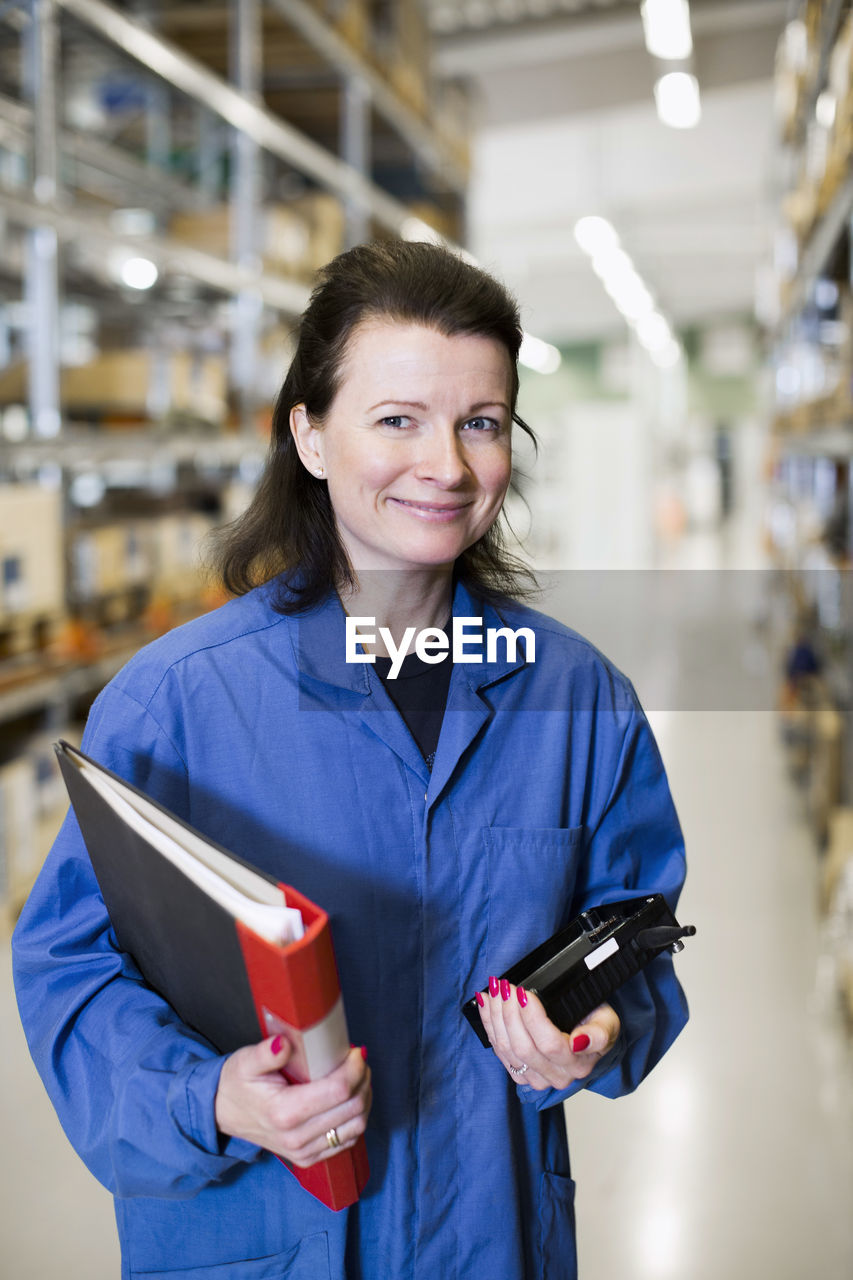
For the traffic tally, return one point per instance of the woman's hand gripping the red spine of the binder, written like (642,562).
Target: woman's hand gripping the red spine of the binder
(256,1103)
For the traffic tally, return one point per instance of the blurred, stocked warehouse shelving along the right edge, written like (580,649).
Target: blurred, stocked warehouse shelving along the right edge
(813,516)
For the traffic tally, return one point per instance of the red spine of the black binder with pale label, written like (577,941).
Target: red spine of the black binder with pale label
(298,993)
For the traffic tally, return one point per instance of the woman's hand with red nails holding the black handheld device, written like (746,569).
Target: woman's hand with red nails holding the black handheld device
(532,1049)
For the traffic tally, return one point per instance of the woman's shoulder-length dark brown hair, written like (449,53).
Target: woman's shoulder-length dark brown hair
(290,527)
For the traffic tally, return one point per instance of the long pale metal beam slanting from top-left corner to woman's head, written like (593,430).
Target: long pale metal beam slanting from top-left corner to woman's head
(267,130)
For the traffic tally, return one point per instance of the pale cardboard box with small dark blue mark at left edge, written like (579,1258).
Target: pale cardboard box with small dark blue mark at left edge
(33,569)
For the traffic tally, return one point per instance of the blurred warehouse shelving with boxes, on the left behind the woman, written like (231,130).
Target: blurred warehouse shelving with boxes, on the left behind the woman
(207,129)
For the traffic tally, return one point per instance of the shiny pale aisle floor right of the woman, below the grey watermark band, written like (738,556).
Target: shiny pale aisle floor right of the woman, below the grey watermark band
(736,1158)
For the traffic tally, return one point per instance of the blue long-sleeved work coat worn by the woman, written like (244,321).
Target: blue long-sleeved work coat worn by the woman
(548,796)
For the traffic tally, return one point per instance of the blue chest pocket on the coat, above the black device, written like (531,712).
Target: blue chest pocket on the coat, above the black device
(532,880)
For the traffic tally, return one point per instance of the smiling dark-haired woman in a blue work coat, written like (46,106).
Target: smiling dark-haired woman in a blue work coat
(449,816)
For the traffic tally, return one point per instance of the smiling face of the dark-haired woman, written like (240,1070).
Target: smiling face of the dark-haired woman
(417,447)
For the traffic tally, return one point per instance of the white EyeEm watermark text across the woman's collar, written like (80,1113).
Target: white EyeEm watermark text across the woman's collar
(432,644)
